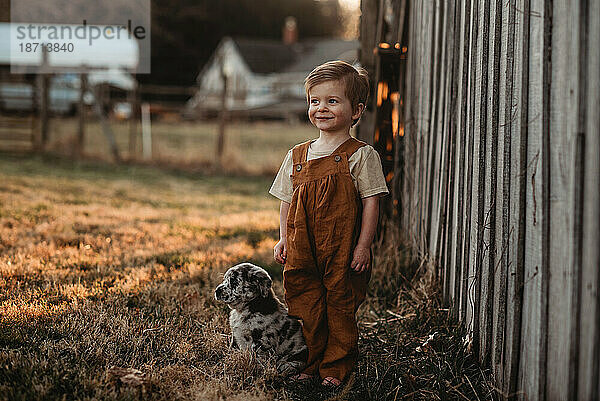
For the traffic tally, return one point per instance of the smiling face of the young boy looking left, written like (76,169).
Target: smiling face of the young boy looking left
(329,109)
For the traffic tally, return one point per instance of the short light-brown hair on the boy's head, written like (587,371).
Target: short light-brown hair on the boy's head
(355,81)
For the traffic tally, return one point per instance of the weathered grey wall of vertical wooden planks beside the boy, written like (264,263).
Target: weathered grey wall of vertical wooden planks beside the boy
(501,181)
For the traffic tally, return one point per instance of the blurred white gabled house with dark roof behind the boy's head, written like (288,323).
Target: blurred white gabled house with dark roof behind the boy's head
(263,78)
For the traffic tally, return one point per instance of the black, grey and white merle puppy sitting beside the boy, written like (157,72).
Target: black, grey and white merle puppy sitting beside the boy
(259,321)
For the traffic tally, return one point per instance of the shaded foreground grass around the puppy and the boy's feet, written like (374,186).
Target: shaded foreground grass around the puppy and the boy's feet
(174,332)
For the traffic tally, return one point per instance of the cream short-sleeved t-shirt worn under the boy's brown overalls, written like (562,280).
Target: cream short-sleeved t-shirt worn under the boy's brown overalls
(365,169)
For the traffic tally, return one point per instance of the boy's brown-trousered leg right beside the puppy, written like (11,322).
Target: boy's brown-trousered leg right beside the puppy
(305,297)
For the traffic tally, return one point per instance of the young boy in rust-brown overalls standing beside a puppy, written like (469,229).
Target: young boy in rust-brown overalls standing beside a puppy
(329,190)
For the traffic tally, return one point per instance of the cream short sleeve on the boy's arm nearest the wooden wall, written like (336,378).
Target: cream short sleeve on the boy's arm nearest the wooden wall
(369,174)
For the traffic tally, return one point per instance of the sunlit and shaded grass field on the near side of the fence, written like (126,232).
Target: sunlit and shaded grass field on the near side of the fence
(105,268)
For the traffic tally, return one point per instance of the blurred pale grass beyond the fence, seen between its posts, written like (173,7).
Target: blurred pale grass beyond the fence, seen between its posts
(255,148)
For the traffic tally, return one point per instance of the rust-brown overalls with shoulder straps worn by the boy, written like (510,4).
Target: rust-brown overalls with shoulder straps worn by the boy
(323,225)
